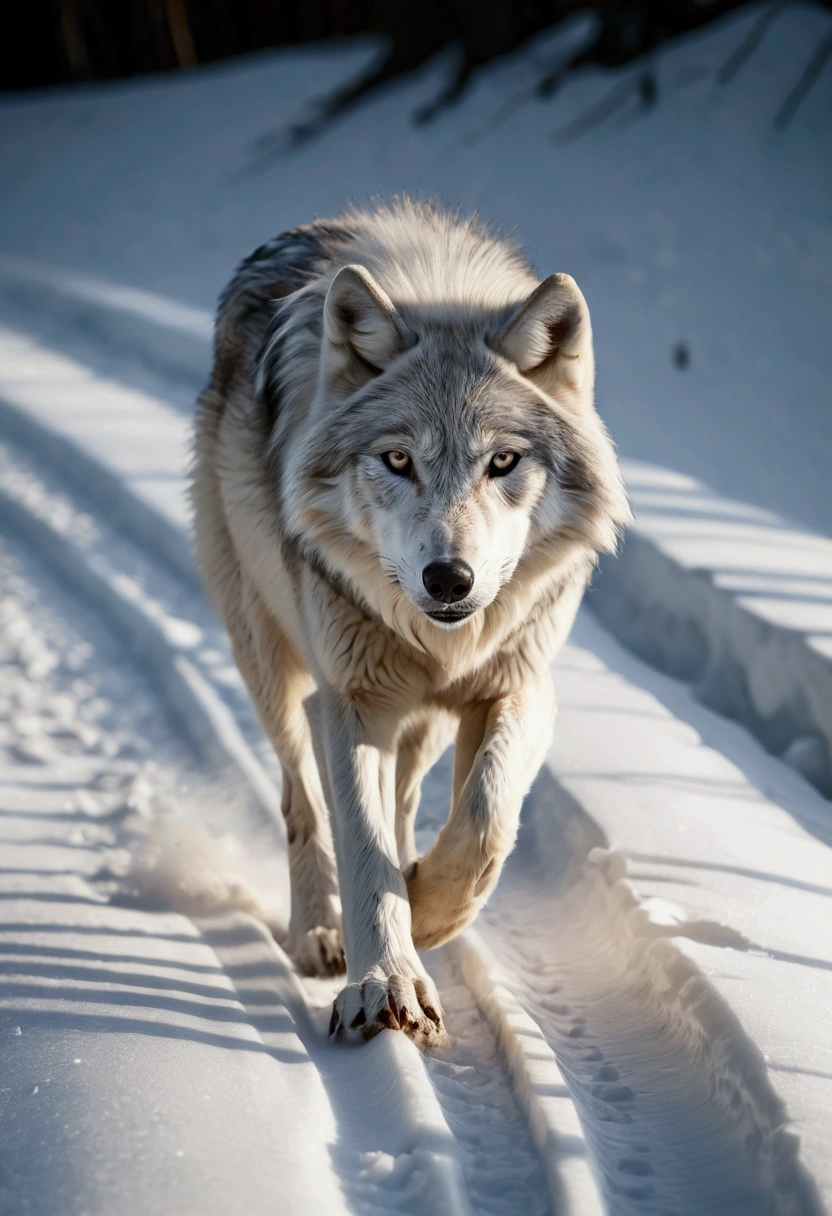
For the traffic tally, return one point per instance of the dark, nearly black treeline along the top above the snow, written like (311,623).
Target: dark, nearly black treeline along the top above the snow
(54,42)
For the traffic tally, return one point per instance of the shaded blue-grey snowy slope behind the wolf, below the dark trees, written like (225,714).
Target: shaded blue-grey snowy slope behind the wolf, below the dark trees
(695,222)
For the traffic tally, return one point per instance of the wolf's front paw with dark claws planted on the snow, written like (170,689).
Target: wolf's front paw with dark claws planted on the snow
(389,1003)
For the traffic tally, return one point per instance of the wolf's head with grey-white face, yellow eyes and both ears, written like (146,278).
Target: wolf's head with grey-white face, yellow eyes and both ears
(454,448)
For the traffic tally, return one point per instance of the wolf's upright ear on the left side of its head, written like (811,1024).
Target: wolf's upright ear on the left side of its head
(363,333)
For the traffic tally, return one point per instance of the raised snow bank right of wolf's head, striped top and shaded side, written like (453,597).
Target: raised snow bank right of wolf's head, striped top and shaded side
(735,601)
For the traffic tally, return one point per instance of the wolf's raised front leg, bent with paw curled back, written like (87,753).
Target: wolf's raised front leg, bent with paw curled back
(499,751)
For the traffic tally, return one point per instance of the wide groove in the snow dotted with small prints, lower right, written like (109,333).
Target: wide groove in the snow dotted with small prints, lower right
(670,1135)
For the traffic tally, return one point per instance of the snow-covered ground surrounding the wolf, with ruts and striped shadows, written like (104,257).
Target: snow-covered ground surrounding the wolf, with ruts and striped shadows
(640,1018)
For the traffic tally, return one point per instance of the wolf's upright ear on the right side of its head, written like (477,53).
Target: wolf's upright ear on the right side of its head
(550,340)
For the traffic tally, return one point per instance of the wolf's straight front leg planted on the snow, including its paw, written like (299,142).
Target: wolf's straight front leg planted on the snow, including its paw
(387,984)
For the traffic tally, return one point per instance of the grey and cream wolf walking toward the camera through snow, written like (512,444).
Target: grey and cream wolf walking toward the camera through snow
(401,489)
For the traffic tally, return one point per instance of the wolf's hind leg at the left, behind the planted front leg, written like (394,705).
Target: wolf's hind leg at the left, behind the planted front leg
(279,684)
